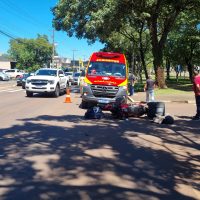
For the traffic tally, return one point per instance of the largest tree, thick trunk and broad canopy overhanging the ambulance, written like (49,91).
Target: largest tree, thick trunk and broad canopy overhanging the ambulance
(95,19)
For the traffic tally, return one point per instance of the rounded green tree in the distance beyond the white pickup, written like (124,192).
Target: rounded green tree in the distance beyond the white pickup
(31,54)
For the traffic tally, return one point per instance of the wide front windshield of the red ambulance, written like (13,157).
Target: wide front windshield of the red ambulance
(106,69)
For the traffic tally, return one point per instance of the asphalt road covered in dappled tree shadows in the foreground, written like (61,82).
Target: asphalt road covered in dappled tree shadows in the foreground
(49,151)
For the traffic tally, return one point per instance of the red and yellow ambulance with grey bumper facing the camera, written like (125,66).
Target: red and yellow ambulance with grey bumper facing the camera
(106,79)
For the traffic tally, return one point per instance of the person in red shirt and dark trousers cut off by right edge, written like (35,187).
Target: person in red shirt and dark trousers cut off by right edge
(196,89)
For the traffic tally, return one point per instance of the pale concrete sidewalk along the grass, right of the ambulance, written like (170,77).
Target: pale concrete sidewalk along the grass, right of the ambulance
(182,98)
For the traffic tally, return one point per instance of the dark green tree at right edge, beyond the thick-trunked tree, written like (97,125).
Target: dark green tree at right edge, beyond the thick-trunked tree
(184,41)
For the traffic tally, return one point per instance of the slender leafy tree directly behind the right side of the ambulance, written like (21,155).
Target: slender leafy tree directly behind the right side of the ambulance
(133,41)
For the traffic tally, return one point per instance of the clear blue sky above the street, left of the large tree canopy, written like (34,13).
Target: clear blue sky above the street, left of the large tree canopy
(27,18)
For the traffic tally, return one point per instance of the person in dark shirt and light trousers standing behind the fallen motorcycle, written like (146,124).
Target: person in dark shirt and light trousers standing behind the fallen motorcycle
(149,89)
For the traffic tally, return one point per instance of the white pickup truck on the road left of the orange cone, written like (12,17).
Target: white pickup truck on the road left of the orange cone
(46,80)
